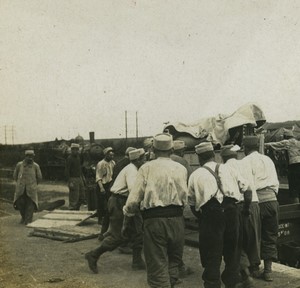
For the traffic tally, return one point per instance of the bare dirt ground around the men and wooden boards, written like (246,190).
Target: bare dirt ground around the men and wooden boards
(38,262)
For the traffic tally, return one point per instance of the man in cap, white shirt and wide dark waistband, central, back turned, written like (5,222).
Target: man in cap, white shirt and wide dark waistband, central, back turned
(160,192)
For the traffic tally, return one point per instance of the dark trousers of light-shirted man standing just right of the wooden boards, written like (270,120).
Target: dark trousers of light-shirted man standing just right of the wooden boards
(102,209)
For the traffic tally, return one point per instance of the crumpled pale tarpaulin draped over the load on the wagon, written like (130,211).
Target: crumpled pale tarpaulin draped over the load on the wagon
(216,129)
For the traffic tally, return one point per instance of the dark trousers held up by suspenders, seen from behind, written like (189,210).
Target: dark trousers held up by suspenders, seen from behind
(219,236)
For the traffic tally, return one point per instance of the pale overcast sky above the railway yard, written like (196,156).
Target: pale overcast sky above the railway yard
(68,67)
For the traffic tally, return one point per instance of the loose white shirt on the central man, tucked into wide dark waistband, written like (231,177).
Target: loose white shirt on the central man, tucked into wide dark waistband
(160,182)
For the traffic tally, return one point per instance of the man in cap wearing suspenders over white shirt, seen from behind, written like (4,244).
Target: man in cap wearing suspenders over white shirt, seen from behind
(213,193)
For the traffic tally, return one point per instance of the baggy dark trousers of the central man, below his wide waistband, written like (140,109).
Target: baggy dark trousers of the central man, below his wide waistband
(163,249)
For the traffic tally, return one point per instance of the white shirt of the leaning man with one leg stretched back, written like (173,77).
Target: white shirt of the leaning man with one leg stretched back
(125,180)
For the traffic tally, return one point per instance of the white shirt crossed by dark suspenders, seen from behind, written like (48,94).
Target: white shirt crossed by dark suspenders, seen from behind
(203,185)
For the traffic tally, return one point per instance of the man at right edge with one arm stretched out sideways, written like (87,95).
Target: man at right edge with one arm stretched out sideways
(292,146)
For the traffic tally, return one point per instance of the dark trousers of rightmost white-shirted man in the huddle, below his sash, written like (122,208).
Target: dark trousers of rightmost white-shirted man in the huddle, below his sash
(269,229)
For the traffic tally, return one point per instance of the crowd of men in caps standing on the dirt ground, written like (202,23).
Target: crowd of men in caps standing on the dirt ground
(141,200)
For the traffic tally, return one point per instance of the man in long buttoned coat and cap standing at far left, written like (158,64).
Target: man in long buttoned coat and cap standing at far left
(27,175)
